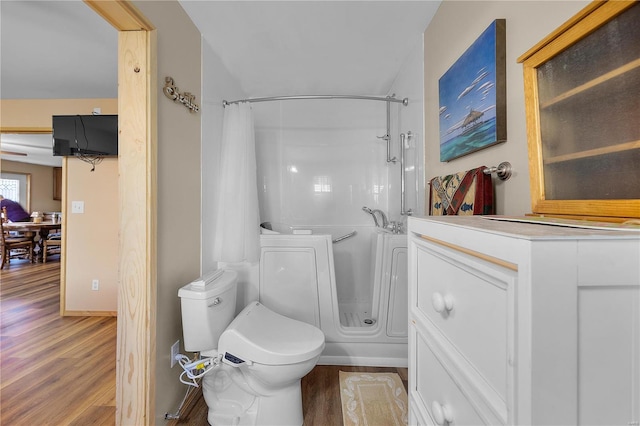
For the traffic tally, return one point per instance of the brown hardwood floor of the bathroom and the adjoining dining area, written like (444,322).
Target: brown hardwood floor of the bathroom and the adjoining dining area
(61,371)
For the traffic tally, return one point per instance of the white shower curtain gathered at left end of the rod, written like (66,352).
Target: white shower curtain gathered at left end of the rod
(237,230)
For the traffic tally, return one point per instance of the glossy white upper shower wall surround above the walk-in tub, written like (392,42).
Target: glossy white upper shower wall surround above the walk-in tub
(320,161)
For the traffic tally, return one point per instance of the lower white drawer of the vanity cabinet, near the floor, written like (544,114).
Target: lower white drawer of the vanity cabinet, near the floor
(438,393)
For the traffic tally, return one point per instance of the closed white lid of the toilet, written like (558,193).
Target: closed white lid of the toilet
(260,335)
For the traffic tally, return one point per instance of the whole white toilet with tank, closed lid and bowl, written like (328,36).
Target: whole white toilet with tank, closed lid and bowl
(264,354)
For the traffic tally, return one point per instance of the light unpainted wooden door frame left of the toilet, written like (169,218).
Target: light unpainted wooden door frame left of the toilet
(137,187)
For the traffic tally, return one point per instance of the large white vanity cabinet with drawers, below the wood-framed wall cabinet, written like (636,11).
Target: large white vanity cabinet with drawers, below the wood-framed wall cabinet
(516,323)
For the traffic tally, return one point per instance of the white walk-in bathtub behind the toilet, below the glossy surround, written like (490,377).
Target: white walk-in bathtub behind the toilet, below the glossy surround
(354,290)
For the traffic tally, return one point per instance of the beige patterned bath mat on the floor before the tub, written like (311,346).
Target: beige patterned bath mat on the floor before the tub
(373,399)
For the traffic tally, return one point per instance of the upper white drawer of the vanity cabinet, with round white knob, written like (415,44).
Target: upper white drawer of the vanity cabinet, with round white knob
(468,301)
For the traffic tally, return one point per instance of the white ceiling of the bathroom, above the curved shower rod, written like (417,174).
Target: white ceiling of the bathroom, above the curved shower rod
(312,47)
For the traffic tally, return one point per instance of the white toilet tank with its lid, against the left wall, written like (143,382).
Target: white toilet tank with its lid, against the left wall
(208,306)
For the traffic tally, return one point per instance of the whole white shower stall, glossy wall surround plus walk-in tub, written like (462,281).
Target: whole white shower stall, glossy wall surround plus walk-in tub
(324,261)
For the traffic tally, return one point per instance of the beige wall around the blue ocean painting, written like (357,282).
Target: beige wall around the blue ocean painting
(453,29)
